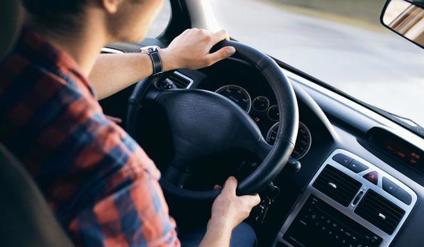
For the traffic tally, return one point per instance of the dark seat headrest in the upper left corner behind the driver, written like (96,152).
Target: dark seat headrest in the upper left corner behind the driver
(11,19)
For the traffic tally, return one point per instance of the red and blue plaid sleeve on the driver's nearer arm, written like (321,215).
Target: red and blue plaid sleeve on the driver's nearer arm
(123,204)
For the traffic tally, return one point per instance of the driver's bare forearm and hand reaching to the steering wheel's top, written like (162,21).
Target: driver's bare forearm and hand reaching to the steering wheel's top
(114,72)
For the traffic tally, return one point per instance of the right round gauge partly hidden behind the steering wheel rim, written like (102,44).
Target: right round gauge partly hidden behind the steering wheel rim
(303,142)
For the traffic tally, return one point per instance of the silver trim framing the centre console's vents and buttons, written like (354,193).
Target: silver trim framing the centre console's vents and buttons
(349,211)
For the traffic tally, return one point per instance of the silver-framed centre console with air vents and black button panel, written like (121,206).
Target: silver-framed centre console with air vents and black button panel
(349,202)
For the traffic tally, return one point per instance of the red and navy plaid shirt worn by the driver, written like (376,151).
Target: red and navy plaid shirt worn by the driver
(101,185)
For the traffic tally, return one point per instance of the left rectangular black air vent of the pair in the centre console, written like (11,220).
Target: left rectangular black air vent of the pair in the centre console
(337,185)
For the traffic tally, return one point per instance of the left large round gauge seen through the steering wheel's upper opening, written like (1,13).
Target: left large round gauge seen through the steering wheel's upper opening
(238,95)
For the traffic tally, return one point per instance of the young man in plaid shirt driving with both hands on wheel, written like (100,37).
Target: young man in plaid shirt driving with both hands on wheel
(101,185)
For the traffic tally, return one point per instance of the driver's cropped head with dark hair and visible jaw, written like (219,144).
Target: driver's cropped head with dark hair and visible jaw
(123,20)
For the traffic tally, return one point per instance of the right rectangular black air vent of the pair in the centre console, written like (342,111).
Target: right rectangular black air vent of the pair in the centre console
(380,212)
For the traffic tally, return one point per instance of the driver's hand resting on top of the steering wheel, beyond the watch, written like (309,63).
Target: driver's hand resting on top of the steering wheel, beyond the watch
(191,50)
